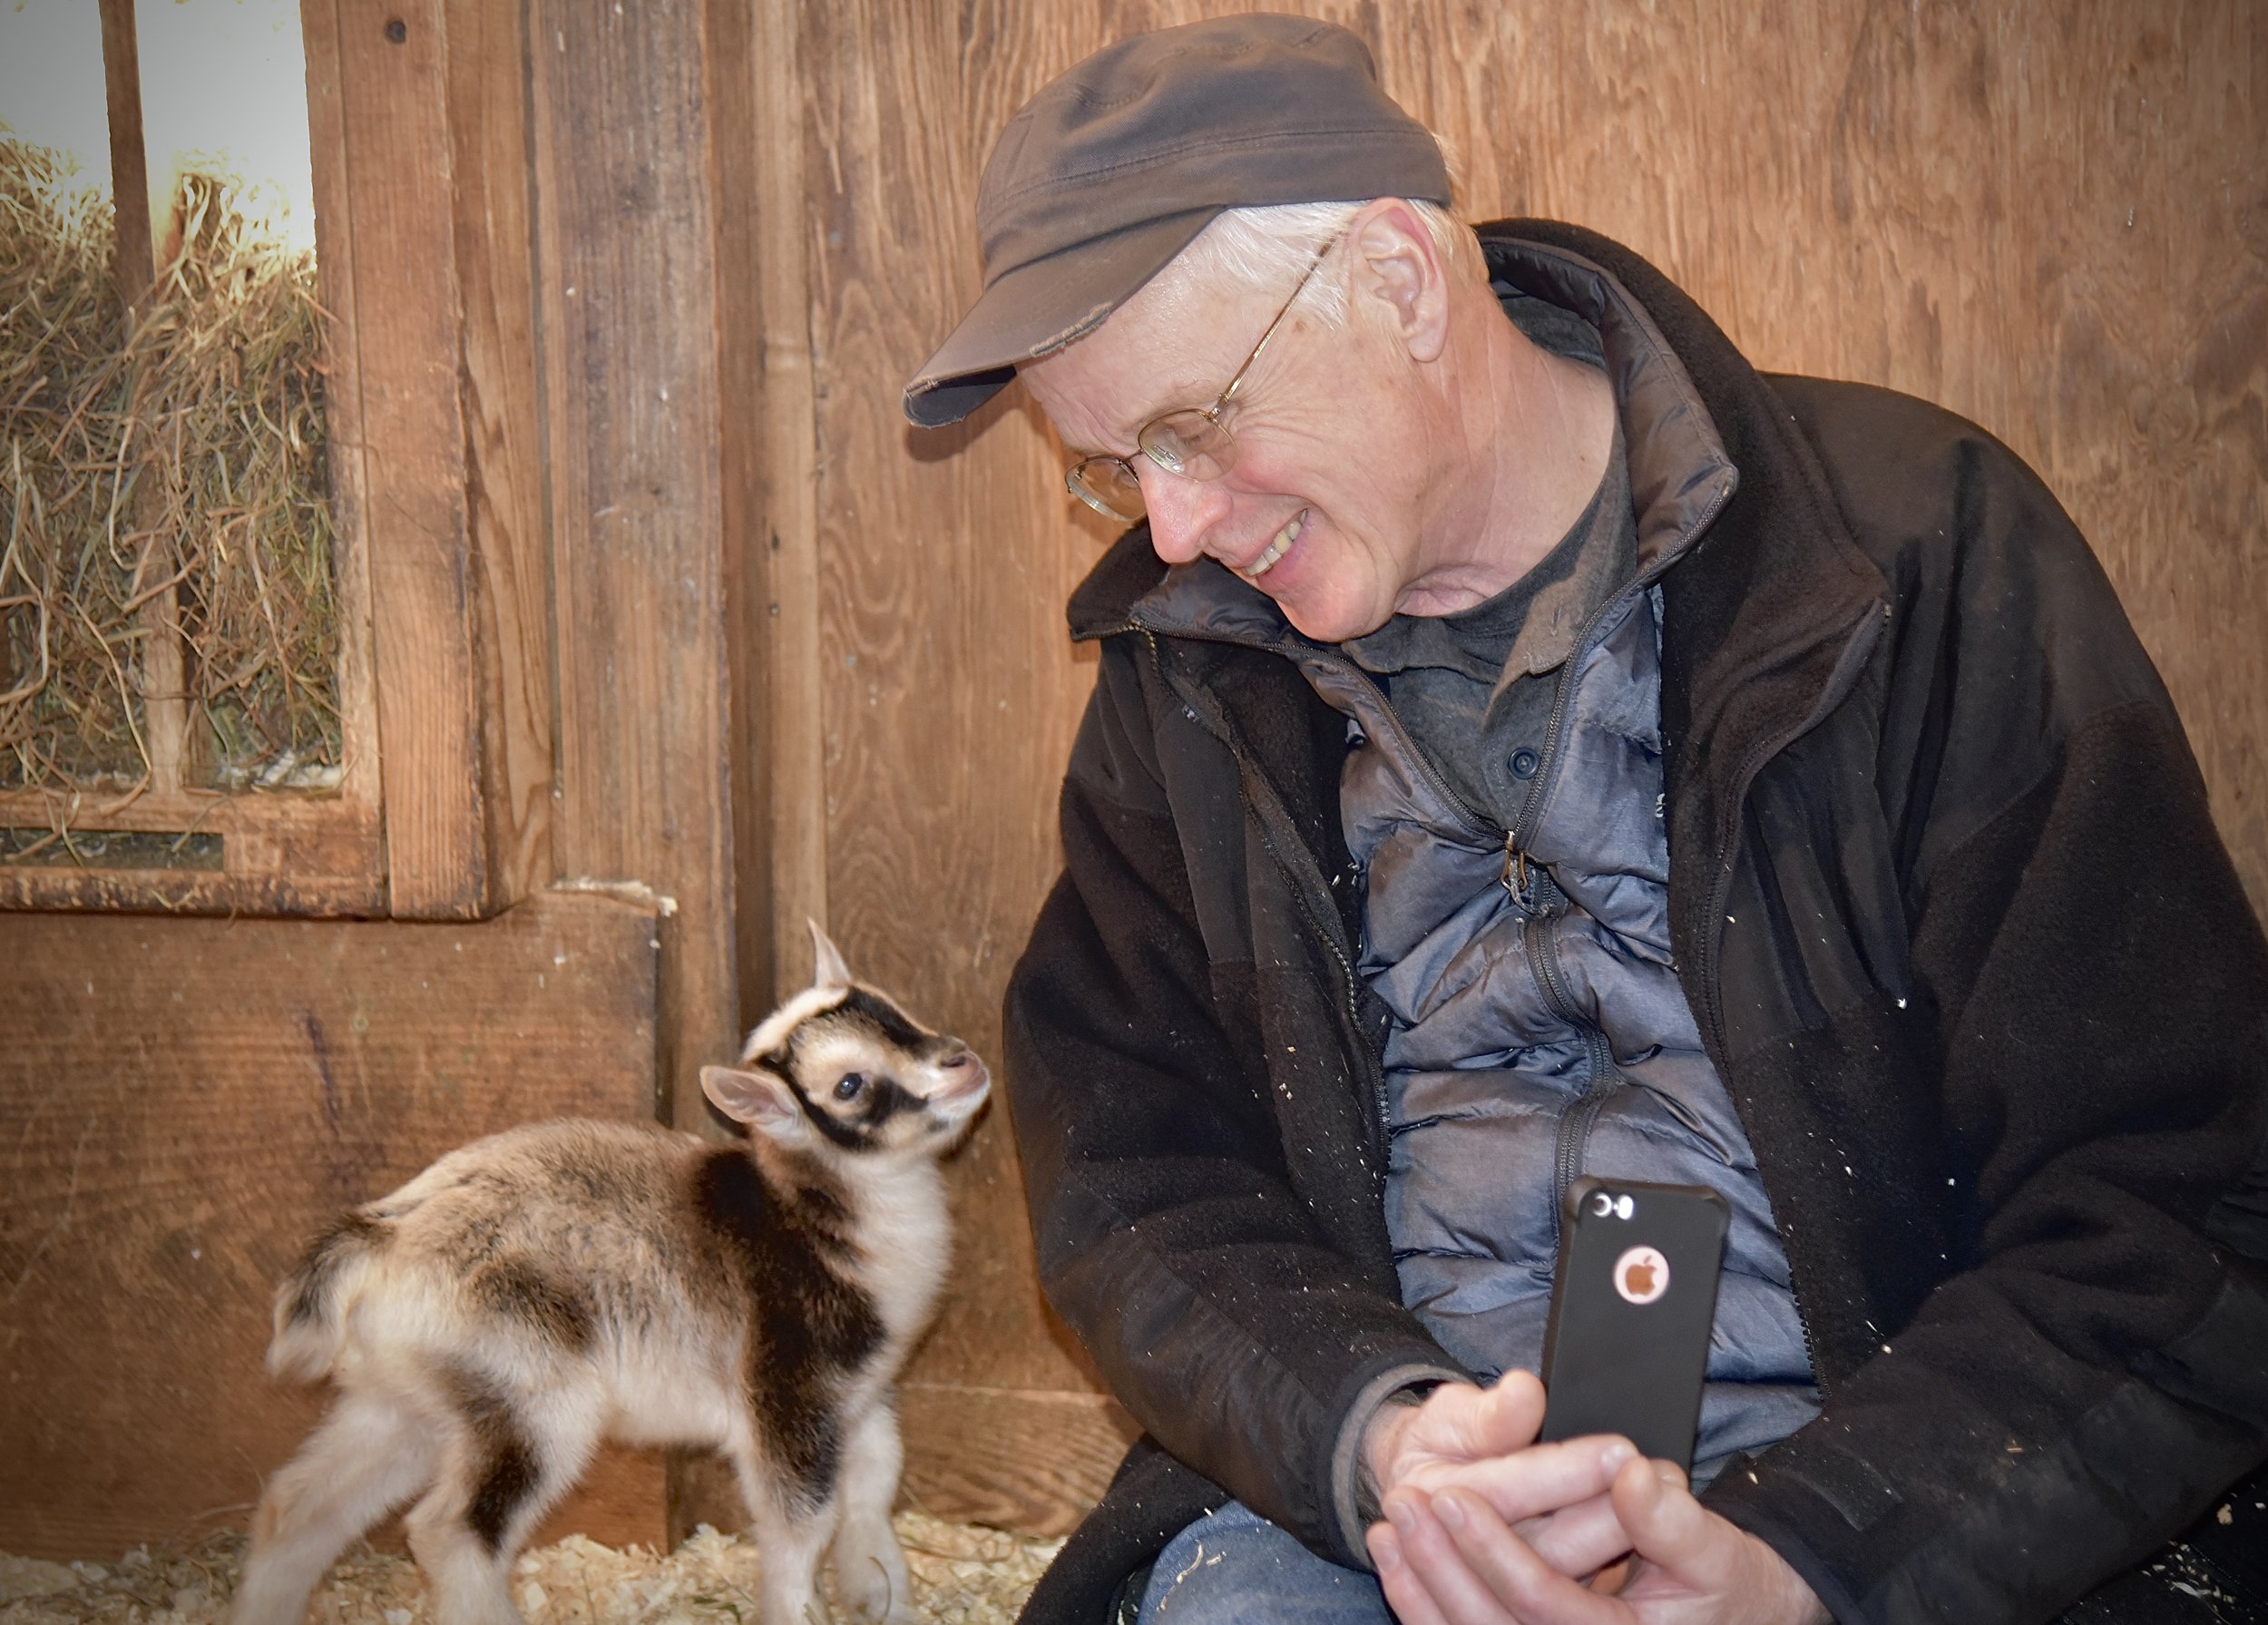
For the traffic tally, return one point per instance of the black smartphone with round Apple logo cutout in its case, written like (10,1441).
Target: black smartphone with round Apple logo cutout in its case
(1632,1311)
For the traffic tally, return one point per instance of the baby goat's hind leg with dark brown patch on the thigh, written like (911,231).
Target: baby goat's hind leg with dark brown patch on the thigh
(507,1465)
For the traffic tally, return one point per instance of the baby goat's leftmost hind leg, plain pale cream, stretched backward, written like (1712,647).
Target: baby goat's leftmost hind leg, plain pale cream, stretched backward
(366,1458)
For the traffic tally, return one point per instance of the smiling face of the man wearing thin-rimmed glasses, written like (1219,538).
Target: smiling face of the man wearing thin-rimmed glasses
(1323,507)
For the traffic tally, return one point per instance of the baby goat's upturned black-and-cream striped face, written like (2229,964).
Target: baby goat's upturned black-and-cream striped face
(849,1068)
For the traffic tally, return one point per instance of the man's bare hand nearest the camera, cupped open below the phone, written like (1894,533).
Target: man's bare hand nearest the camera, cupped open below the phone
(1453,1558)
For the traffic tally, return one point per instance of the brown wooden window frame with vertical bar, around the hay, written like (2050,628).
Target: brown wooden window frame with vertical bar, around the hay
(439,537)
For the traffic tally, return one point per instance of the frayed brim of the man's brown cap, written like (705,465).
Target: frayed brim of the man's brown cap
(1035,310)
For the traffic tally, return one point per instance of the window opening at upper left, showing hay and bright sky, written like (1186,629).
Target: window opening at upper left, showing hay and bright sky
(169,609)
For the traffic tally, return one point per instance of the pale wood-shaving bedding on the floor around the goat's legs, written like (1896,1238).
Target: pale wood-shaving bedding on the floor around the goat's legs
(963,1576)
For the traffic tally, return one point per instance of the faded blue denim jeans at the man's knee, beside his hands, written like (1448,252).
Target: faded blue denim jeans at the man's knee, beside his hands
(1233,1567)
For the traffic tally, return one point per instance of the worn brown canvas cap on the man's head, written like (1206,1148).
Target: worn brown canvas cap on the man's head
(1115,169)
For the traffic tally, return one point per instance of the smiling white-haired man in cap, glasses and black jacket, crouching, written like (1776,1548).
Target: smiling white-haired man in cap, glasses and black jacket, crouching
(1530,743)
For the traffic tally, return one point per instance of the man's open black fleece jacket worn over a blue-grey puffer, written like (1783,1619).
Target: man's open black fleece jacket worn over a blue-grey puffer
(1963,943)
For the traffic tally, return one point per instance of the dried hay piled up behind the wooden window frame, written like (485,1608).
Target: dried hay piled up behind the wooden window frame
(176,448)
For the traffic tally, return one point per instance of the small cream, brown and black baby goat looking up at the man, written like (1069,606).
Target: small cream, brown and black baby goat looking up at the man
(561,1283)
